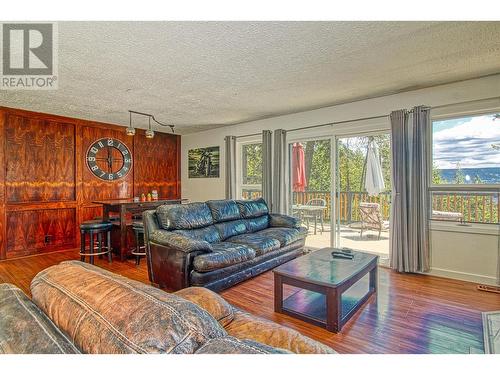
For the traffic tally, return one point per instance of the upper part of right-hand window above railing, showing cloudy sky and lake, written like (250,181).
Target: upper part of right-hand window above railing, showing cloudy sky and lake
(466,150)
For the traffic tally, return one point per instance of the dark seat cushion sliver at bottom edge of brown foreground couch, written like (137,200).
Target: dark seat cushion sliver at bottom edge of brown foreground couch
(231,345)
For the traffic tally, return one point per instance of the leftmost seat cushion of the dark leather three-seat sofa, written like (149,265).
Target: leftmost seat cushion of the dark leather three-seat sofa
(223,254)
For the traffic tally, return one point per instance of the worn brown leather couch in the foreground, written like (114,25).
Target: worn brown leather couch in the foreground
(79,308)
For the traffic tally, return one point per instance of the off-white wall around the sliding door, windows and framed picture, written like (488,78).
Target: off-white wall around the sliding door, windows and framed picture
(469,256)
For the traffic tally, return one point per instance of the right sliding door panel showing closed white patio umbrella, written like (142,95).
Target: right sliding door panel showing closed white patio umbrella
(363,192)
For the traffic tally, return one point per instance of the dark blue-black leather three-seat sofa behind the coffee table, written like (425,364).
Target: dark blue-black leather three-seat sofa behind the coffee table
(218,243)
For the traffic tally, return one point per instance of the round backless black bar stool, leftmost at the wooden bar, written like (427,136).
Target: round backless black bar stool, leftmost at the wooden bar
(95,227)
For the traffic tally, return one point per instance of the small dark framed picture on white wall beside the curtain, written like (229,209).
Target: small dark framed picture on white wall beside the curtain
(204,162)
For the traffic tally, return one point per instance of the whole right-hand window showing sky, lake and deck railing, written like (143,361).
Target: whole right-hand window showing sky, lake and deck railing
(466,169)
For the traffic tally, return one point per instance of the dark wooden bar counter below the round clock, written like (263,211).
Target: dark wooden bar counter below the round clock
(129,206)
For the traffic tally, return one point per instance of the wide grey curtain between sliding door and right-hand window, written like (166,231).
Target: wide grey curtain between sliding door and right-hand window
(409,246)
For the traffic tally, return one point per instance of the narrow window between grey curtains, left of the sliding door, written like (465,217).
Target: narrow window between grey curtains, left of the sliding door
(251,170)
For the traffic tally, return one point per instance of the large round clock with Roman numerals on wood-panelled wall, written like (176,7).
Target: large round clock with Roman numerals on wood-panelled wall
(109,159)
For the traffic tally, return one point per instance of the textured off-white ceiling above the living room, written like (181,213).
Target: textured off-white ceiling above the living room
(200,75)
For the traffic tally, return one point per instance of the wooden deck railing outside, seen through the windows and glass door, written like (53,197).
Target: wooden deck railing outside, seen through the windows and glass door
(475,207)
